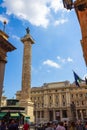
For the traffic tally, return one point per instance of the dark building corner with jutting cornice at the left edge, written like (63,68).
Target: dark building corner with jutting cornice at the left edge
(5,47)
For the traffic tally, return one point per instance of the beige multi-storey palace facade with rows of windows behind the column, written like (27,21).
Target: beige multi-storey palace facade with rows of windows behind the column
(52,101)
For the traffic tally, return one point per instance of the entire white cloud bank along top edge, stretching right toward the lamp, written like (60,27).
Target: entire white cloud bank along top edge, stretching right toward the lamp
(37,12)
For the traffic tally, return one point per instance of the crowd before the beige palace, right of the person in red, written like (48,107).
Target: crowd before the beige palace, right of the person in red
(64,126)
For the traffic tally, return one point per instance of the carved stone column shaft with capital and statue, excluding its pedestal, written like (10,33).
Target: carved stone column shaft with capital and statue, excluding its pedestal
(26,70)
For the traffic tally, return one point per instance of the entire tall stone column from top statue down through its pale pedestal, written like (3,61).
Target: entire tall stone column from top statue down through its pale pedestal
(26,75)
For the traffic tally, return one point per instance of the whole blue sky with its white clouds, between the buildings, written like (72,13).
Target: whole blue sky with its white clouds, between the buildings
(57,49)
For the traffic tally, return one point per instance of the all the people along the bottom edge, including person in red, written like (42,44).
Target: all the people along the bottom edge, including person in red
(13,125)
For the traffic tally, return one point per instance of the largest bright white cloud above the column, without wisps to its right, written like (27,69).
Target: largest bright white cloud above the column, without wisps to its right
(31,10)
